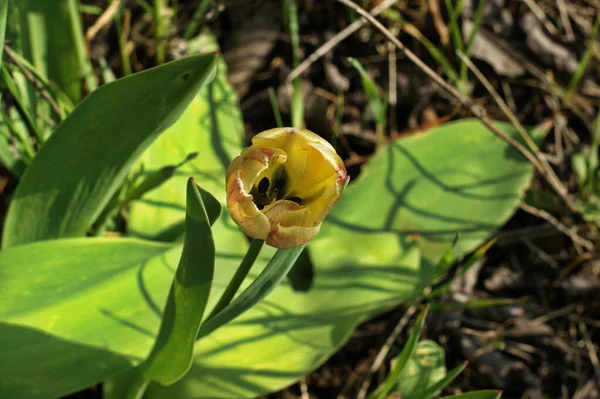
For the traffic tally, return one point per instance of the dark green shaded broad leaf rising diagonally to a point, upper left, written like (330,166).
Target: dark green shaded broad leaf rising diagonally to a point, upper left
(82,165)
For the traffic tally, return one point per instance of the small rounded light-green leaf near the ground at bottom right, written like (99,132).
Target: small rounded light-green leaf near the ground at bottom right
(424,370)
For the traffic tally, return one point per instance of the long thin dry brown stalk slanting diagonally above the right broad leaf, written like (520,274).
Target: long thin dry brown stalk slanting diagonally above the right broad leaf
(477,111)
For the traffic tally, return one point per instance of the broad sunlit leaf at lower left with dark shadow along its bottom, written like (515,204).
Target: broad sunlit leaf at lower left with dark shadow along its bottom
(67,322)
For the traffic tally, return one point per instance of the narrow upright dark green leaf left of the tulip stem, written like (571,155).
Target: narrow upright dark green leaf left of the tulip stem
(171,356)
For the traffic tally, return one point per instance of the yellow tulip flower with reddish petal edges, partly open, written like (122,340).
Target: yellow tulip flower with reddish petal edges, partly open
(281,187)
